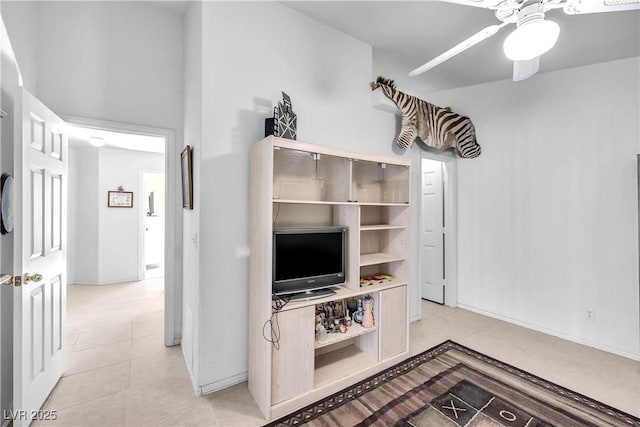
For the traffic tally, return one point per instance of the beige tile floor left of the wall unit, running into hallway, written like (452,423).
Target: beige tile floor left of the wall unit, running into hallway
(119,373)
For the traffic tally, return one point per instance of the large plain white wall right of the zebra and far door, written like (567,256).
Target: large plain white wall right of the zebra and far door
(548,214)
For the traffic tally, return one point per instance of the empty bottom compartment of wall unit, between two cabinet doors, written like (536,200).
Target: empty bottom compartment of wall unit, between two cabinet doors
(332,366)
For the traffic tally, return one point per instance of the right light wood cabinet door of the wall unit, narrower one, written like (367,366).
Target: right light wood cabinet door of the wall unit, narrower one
(393,322)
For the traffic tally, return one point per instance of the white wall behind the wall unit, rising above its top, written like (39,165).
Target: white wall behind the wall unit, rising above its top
(250,53)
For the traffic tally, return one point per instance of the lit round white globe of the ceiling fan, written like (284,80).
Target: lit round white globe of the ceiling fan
(531,39)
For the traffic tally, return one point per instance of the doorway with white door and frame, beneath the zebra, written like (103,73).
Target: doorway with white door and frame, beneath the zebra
(437,229)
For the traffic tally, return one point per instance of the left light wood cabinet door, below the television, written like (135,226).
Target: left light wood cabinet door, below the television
(292,363)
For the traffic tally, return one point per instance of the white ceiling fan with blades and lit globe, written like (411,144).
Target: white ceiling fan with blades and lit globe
(533,36)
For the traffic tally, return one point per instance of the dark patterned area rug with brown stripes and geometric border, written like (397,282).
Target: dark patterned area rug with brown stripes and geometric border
(453,386)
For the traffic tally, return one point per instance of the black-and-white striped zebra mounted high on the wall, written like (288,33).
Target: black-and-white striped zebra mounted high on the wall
(437,127)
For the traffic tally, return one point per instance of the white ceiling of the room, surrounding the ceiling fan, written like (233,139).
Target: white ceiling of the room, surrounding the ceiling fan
(405,34)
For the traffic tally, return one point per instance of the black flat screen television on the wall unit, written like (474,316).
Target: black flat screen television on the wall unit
(306,261)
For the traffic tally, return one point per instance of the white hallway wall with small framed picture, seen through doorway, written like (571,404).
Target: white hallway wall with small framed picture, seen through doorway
(105,242)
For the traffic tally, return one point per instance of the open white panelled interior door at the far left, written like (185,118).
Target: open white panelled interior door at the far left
(40,249)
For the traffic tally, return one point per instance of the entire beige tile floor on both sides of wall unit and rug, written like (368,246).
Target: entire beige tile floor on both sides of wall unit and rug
(120,374)
